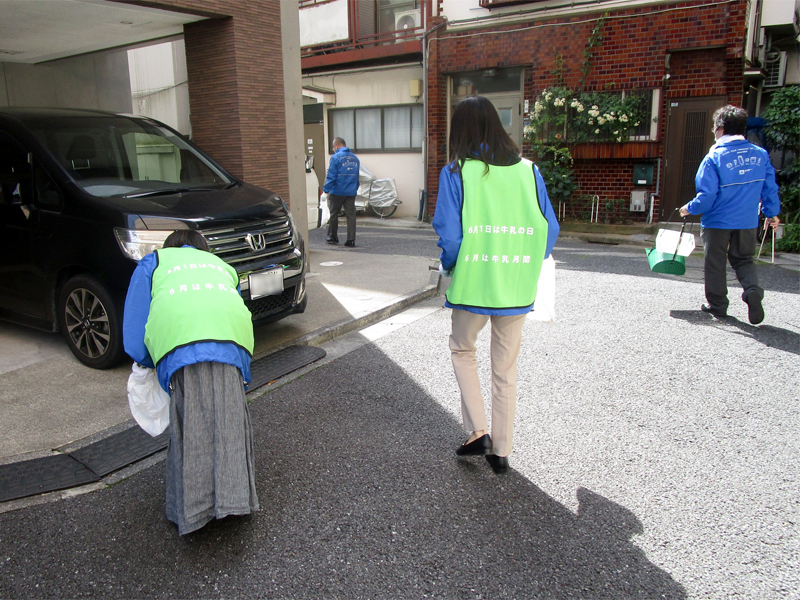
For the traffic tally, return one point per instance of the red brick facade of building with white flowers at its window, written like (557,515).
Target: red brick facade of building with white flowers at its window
(704,42)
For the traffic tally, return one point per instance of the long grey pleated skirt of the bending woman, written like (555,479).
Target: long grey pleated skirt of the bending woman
(209,471)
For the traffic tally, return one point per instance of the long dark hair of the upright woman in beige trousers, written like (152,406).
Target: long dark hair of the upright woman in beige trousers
(476,132)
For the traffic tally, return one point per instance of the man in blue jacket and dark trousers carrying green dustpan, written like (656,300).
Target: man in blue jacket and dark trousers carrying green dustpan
(733,178)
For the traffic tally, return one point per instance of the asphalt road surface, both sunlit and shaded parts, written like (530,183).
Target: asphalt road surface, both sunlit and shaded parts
(656,456)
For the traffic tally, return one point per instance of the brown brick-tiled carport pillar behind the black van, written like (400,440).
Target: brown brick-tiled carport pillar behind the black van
(235,69)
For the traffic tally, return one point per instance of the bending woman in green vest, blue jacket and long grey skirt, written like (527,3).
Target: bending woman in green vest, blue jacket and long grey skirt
(184,316)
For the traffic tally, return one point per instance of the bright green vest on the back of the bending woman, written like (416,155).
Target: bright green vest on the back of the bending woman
(194,299)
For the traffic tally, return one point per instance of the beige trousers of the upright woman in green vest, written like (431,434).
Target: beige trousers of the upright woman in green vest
(506,338)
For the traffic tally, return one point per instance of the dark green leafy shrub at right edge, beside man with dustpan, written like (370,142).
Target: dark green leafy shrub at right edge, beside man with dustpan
(783,132)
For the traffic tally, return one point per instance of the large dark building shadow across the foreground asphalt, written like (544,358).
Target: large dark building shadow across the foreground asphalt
(362,496)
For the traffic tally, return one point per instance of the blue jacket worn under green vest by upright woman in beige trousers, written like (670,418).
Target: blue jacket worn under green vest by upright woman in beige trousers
(447,223)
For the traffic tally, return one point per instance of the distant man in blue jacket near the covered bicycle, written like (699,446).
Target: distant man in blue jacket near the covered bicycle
(341,185)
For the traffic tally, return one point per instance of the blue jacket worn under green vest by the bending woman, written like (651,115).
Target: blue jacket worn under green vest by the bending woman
(137,310)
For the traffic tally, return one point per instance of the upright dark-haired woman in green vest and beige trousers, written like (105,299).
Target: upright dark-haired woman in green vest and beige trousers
(496,226)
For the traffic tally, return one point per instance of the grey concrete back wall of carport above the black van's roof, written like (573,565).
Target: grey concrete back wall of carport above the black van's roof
(96,81)
